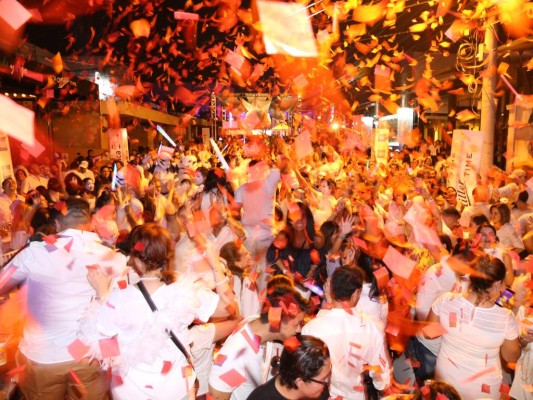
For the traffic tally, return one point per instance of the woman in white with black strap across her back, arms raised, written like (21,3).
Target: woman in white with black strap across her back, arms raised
(145,362)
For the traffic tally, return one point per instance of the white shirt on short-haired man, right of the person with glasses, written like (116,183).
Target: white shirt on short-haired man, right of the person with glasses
(354,341)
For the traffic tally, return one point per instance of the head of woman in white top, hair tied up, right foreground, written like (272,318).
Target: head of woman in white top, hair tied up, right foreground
(489,277)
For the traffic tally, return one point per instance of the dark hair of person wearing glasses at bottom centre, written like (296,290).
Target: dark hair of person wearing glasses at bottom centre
(304,362)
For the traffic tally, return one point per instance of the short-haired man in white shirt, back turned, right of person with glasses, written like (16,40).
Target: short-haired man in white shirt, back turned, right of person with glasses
(355,341)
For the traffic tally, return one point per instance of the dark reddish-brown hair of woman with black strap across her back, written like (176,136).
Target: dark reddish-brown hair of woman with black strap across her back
(153,245)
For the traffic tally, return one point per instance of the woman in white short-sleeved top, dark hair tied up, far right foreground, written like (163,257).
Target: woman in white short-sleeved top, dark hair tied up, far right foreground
(478,332)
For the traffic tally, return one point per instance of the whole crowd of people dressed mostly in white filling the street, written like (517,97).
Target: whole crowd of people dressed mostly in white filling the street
(248,272)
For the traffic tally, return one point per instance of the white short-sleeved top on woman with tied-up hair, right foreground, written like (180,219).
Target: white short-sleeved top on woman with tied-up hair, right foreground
(472,345)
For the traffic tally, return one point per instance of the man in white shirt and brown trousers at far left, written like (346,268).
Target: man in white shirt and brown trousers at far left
(55,272)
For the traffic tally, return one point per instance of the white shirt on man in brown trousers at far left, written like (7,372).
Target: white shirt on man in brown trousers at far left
(58,290)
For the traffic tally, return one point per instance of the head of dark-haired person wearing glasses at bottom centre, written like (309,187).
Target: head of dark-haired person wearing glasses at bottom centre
(306,367)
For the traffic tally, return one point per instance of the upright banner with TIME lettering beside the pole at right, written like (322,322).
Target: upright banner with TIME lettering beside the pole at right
(465,162)
